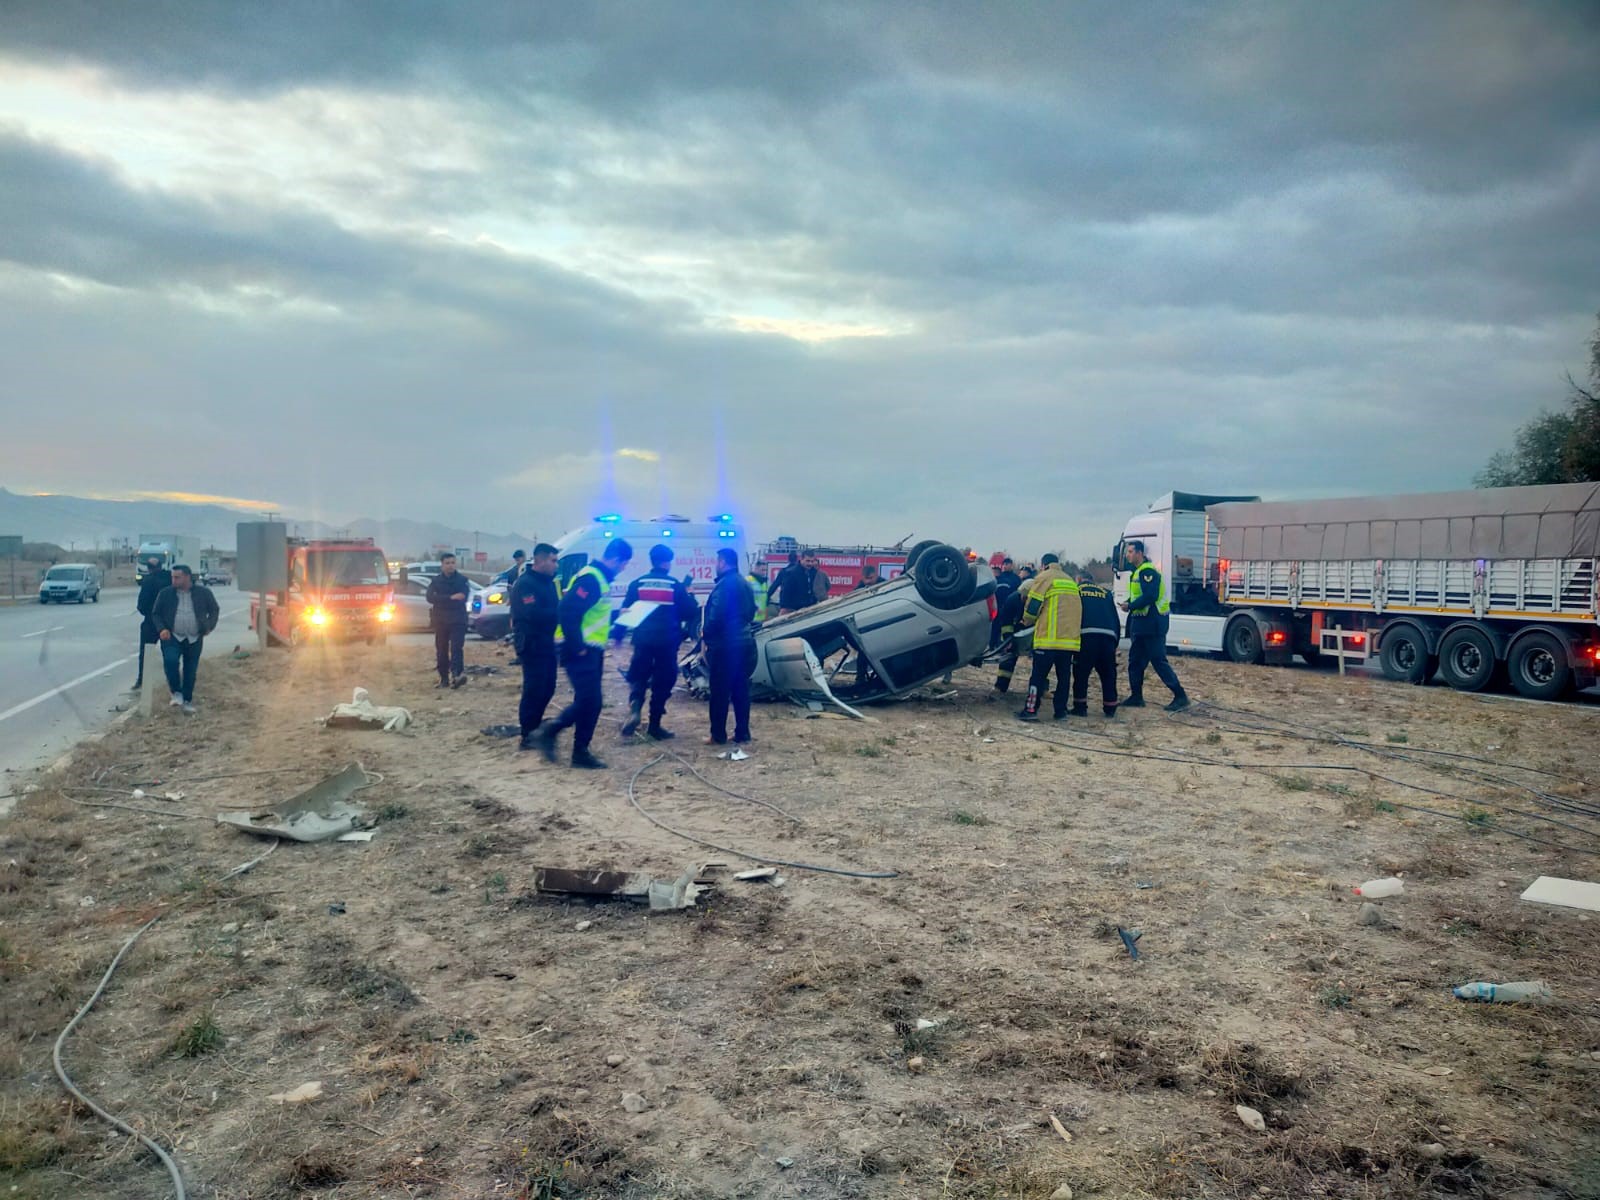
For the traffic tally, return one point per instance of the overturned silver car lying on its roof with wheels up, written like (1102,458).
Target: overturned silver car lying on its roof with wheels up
(879,642)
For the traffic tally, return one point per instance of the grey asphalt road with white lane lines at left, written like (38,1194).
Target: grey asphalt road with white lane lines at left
(65,670)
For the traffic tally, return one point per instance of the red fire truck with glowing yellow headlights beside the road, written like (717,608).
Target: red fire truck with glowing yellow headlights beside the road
(338,591)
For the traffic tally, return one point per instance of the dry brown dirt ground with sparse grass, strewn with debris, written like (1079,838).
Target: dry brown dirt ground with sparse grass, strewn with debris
(478,1041)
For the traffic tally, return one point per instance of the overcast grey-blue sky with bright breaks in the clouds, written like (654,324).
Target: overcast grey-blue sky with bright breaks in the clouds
(993,273)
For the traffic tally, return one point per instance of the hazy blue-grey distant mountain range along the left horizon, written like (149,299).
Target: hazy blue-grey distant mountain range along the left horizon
(97,524)
